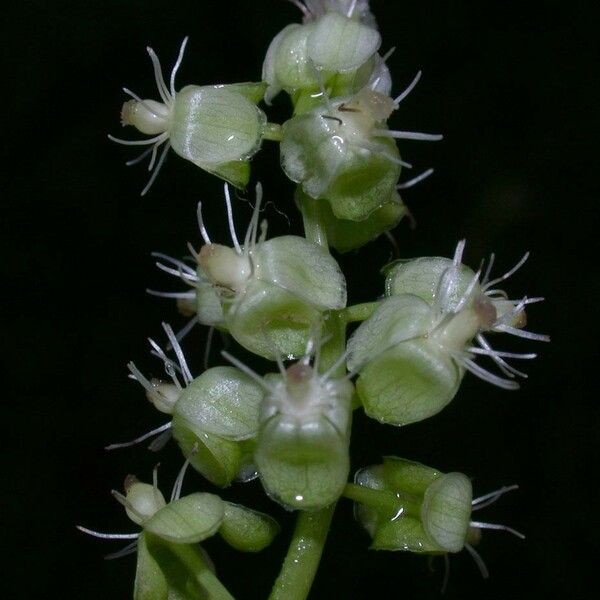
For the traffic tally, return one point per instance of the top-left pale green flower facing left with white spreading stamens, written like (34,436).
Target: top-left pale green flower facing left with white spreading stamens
(218,127)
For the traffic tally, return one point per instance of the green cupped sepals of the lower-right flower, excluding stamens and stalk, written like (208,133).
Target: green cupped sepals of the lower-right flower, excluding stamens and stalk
(433,510)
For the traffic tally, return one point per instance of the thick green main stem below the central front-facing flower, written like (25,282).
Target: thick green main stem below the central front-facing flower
(302,560)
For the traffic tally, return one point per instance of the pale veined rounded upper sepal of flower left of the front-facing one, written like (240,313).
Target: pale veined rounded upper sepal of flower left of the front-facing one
(223,401)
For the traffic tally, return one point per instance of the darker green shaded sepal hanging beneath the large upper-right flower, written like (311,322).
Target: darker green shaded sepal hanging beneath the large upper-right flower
(345,235)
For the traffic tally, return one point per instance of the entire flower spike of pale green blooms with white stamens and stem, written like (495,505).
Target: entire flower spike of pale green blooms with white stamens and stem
(284,300)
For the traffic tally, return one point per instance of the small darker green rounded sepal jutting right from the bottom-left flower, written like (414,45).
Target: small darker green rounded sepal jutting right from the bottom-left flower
(247,530)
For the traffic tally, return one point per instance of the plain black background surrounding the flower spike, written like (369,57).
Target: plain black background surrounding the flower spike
(512,85)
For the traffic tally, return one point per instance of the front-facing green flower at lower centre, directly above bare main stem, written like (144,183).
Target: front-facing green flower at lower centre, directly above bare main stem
(302,446)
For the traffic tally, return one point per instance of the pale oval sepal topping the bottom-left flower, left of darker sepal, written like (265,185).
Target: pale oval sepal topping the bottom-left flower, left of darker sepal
(188,520)
